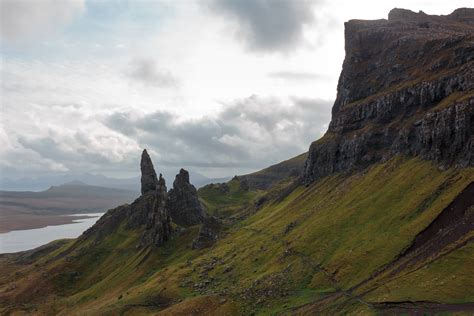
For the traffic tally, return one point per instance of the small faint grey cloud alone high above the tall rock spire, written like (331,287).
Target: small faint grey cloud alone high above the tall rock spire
(146,71)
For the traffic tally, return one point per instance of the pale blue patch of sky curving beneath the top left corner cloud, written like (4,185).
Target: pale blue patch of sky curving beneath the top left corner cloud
(103,29)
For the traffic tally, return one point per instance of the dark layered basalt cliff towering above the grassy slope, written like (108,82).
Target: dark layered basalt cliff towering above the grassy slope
(407,87)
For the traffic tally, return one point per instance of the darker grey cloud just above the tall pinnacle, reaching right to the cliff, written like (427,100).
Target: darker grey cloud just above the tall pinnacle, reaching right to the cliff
(252,133)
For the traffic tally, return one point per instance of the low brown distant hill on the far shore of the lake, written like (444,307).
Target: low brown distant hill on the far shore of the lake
(71,197)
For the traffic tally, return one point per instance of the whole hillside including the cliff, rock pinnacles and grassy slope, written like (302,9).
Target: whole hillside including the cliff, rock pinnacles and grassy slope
(377,218)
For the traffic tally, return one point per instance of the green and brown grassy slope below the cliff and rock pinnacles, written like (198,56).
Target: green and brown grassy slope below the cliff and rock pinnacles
(313,245)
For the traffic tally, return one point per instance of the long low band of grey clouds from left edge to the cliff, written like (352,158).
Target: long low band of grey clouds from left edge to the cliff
(248,134)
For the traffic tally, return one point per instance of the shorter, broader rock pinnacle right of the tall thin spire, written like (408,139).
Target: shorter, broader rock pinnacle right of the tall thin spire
(183,202)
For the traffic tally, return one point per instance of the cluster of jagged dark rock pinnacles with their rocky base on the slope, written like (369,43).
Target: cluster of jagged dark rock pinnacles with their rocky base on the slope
(154,210)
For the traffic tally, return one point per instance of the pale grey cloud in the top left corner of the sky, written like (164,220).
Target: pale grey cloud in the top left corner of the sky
(25,19)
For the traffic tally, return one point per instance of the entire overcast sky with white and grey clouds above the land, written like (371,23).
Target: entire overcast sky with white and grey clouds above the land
(220,87)
